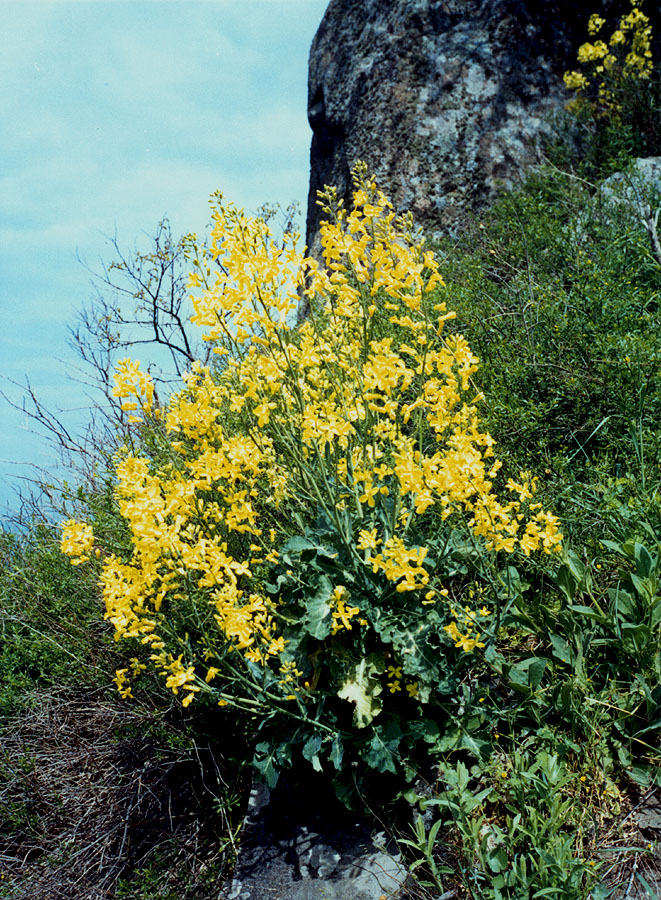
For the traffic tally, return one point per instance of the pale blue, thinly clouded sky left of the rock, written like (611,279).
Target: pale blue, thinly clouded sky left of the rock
(114,114)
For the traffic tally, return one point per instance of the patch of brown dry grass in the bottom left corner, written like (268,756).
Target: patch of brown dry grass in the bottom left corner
(87,794)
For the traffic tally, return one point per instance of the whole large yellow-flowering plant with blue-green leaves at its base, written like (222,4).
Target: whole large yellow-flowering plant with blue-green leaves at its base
(306,514)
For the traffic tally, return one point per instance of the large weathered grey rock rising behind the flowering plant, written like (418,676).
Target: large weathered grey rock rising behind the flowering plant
(443,99)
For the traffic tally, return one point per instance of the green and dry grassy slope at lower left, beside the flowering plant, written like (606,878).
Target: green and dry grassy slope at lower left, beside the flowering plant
(98,797)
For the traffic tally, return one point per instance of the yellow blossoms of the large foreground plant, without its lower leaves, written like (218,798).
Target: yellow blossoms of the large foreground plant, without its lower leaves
(365,411)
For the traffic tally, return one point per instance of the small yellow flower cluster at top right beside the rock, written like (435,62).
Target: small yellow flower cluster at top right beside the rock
(627,56)
